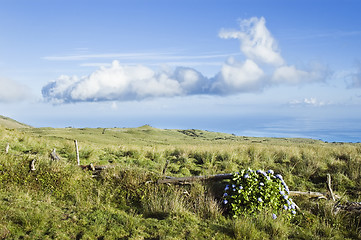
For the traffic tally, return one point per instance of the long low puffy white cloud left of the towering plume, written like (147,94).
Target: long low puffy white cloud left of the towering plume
(119,82)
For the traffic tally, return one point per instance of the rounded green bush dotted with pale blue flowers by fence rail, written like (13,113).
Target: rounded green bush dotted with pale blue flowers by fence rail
(251,191)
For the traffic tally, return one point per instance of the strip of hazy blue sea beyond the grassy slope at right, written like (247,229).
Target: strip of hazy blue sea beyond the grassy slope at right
(329,131)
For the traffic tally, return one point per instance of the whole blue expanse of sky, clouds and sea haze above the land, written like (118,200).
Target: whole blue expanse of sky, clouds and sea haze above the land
(256,68)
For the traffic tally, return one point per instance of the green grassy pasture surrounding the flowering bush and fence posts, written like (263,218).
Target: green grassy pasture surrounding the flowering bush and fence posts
(61,201)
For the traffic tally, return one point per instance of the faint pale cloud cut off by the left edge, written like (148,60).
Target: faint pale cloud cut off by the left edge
(12,91)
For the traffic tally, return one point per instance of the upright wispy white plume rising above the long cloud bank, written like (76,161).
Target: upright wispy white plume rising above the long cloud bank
(257,42)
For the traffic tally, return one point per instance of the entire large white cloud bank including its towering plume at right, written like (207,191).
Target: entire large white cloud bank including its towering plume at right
(262,67)
